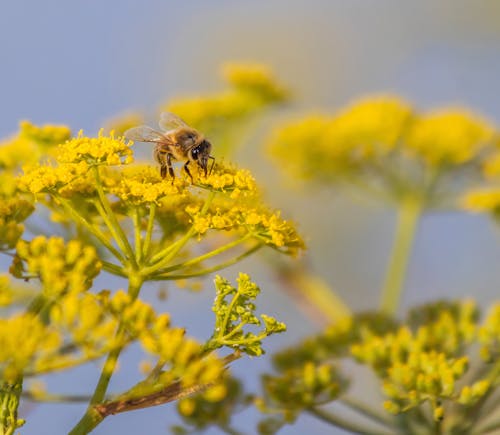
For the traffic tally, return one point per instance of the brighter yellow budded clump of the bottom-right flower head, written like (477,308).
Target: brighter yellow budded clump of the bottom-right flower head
(427,364)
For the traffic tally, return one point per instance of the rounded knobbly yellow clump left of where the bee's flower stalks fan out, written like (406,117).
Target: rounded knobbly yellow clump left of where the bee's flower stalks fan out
(60,266)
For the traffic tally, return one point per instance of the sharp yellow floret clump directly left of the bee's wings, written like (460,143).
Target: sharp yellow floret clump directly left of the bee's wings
(95,151)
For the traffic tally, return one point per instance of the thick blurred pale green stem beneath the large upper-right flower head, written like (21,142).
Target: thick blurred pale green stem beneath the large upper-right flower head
(408,218)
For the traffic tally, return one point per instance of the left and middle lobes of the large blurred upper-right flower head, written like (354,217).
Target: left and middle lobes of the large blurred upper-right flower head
(325,147)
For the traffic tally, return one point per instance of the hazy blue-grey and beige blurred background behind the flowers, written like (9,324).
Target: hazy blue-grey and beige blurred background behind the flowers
(82,62)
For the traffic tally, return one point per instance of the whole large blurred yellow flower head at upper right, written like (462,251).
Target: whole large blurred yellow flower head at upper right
(385,145)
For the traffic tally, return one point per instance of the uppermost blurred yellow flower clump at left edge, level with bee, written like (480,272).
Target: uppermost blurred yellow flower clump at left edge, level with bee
(30,143)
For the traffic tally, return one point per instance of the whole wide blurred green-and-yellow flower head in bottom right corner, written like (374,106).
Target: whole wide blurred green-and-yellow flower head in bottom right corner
(442,355)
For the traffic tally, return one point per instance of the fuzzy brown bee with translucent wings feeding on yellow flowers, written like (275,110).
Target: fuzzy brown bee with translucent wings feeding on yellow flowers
(176,141)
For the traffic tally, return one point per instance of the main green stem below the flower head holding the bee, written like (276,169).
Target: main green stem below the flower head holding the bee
(92,417)
